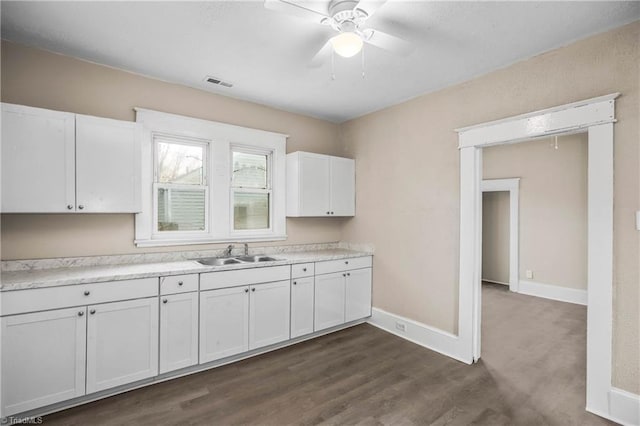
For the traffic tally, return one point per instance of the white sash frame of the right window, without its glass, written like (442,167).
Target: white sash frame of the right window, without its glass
(245,149)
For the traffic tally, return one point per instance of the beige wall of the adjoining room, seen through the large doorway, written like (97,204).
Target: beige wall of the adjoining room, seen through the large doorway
(553,206)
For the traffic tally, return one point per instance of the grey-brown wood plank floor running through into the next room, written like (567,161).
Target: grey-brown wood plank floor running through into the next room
(532,373)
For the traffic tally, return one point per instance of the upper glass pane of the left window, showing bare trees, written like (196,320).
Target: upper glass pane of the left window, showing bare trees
(178,163)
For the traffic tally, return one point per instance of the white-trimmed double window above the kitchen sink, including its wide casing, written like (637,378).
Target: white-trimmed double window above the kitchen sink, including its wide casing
(207,182)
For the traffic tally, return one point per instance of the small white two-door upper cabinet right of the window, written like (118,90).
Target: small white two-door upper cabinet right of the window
(320,185)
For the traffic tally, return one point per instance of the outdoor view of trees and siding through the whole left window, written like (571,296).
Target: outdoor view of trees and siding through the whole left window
(180,185)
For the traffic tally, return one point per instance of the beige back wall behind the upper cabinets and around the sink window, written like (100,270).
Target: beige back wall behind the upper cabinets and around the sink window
(38,78)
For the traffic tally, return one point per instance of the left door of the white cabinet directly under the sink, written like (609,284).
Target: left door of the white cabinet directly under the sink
(224,323)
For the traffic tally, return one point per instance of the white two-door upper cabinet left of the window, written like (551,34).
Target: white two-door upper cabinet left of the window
(56,162)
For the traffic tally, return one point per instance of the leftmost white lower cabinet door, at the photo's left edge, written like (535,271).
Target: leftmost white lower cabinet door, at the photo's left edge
(43,358)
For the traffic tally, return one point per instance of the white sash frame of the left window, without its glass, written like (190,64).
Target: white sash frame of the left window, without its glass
(156,233)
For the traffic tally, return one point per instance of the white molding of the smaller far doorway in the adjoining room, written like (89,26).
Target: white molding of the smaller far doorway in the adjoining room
(511,185)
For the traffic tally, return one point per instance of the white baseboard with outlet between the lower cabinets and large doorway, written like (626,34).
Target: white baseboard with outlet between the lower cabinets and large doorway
(418,333)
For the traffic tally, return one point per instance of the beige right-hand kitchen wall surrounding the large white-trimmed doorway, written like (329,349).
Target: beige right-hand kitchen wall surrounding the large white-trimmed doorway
(406,155)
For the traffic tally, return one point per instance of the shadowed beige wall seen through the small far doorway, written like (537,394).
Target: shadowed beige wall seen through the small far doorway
(495,236)
